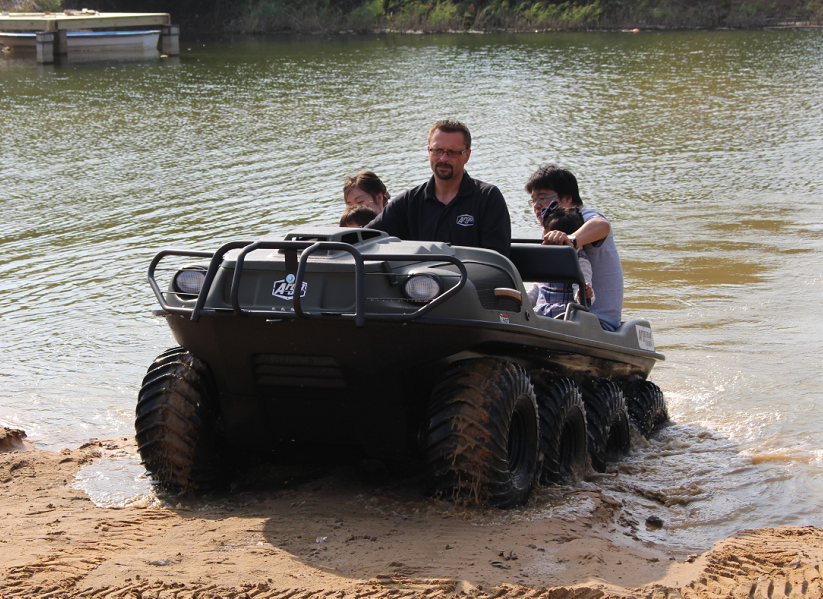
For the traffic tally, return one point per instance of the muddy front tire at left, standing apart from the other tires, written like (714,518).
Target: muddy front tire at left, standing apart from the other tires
(175,424)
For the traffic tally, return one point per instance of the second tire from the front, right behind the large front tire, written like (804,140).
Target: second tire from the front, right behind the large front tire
(563,437)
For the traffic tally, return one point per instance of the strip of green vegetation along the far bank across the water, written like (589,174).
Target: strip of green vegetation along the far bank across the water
(453,15)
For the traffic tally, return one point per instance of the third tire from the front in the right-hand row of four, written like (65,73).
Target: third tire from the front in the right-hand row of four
(607,420)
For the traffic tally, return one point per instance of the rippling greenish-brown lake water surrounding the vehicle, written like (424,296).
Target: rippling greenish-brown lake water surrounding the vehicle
(704,148)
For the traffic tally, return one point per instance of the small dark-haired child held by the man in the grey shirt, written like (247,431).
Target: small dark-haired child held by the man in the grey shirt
(551,299)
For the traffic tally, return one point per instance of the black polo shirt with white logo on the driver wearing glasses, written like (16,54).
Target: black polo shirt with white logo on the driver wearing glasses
(476,217)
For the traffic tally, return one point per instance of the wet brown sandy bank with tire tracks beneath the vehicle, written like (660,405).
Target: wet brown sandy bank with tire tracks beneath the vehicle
(338,532)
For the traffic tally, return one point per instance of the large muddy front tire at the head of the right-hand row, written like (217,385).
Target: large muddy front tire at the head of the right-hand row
(482,433)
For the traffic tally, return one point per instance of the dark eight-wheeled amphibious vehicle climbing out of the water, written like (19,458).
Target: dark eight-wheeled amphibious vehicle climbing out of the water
(411,350)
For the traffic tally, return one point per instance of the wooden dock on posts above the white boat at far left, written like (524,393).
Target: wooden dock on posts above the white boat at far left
(51,29)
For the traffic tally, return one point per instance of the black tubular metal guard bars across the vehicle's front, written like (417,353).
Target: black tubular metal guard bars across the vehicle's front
(308,248)
